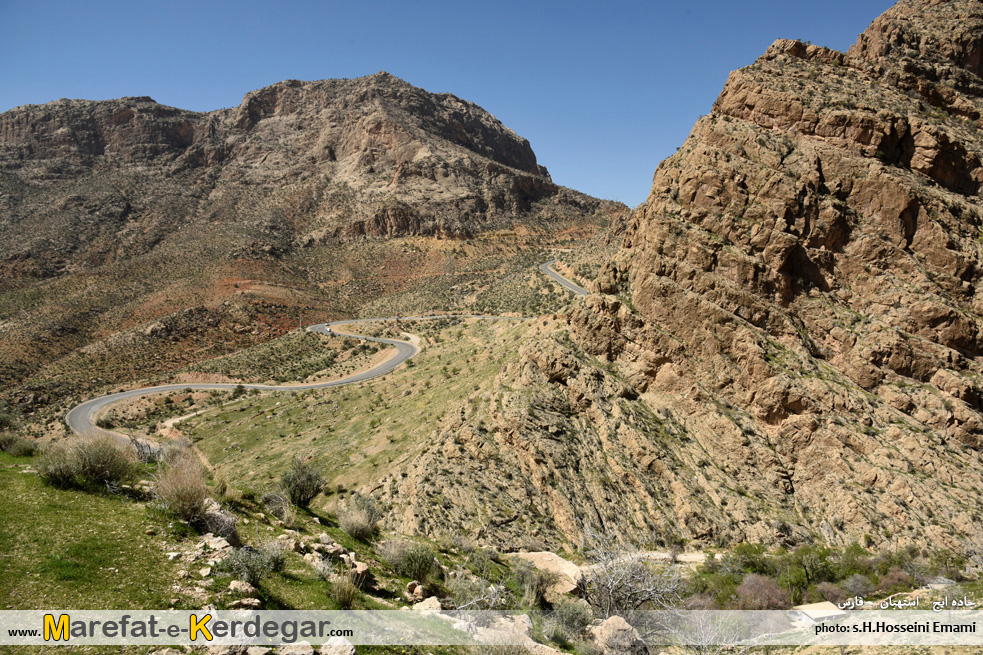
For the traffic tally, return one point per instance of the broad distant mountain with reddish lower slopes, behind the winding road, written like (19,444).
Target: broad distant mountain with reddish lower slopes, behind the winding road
(308,199)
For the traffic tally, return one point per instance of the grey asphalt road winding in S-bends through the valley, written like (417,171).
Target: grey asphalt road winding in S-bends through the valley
(81,419)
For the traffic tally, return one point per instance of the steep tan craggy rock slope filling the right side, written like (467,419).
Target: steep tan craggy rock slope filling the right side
(786,348)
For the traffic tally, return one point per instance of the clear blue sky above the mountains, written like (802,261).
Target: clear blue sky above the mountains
(602,90)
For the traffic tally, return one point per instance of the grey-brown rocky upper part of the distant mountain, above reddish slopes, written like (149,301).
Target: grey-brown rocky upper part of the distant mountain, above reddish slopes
(296,164)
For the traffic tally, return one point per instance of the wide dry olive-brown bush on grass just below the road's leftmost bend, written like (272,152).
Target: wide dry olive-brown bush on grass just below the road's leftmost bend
(88,461)
